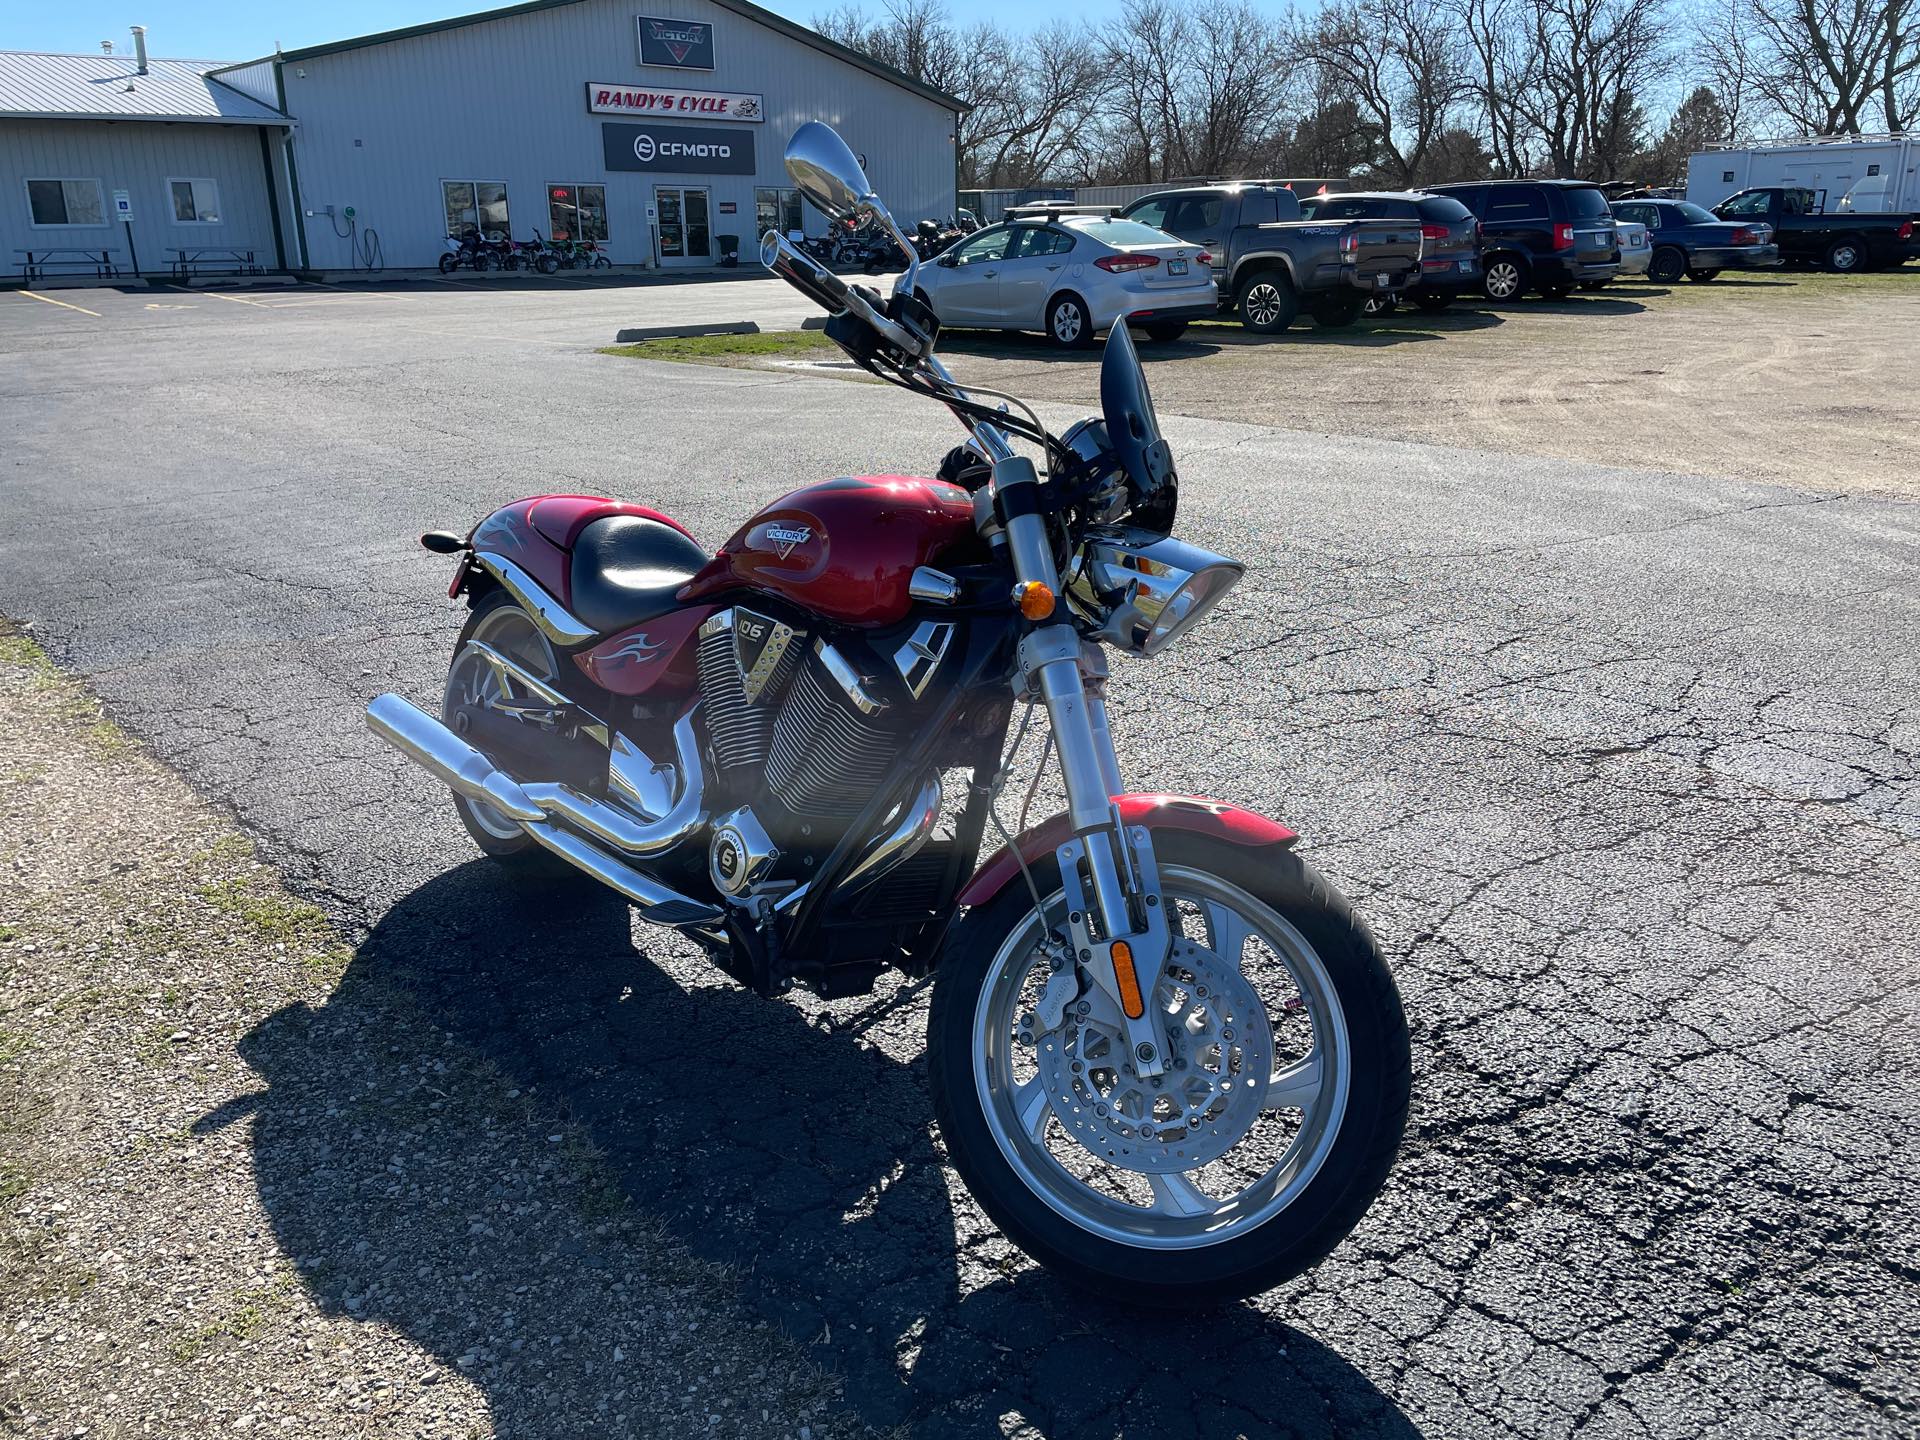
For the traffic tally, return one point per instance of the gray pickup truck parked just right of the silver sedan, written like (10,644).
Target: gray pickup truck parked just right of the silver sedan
(1270,264)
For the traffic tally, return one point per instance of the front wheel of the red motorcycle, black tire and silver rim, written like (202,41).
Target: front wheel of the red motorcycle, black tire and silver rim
(1268,1136)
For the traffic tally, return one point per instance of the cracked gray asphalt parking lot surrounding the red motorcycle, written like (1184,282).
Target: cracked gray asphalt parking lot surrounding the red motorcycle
(1618,759)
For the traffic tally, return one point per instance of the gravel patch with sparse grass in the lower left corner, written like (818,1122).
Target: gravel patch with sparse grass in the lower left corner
(176,1028)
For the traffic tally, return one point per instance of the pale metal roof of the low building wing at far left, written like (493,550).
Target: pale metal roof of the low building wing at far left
(110,87)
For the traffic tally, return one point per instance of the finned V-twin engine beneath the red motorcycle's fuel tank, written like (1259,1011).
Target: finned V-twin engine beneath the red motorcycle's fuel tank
(802,732)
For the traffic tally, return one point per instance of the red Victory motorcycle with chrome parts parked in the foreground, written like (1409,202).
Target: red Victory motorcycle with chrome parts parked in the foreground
(1166,1057)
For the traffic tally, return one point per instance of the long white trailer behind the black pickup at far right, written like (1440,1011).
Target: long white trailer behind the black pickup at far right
(1867,174)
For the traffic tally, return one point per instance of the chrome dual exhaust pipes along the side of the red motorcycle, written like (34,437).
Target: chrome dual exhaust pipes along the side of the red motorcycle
(458,765)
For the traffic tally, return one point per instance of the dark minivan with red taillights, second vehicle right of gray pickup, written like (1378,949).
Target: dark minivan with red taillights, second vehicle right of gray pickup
(1541,235)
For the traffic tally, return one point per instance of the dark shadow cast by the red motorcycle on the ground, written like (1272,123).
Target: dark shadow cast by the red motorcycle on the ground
(798,1155)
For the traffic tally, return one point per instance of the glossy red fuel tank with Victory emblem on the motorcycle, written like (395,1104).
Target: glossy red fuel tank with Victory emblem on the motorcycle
(846,548)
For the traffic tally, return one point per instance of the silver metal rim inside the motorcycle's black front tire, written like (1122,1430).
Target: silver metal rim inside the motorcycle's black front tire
(1285,1136)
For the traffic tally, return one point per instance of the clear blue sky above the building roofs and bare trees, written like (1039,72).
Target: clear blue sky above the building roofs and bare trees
(235,30)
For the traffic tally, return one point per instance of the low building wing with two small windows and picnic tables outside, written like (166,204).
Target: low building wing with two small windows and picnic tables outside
(118,164)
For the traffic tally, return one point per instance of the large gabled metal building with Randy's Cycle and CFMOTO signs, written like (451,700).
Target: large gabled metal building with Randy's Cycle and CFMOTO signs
(652,128)
